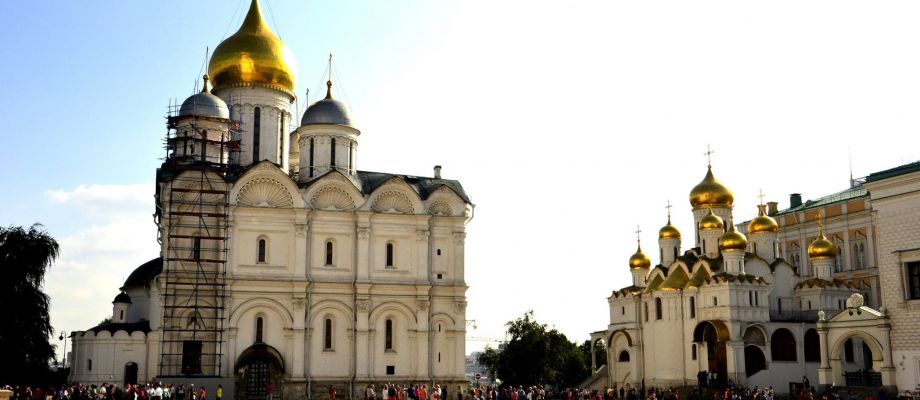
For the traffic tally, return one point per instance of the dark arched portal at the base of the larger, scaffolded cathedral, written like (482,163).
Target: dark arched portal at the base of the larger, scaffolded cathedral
(257,367)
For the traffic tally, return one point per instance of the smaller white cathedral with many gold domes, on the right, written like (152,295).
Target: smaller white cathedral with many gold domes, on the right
(727,308)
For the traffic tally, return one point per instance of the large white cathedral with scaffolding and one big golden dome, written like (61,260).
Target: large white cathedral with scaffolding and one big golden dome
(281,262)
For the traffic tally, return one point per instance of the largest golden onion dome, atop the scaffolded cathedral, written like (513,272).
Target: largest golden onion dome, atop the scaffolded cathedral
(253,56)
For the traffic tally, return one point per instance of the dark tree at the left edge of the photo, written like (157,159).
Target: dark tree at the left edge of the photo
(25,349)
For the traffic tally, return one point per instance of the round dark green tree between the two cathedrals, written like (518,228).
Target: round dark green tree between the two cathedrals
(535,355)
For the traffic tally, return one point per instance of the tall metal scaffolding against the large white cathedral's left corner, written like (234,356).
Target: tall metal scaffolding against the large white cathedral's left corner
(193,197)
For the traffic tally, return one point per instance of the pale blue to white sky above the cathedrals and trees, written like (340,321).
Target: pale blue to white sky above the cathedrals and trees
(568,123)
